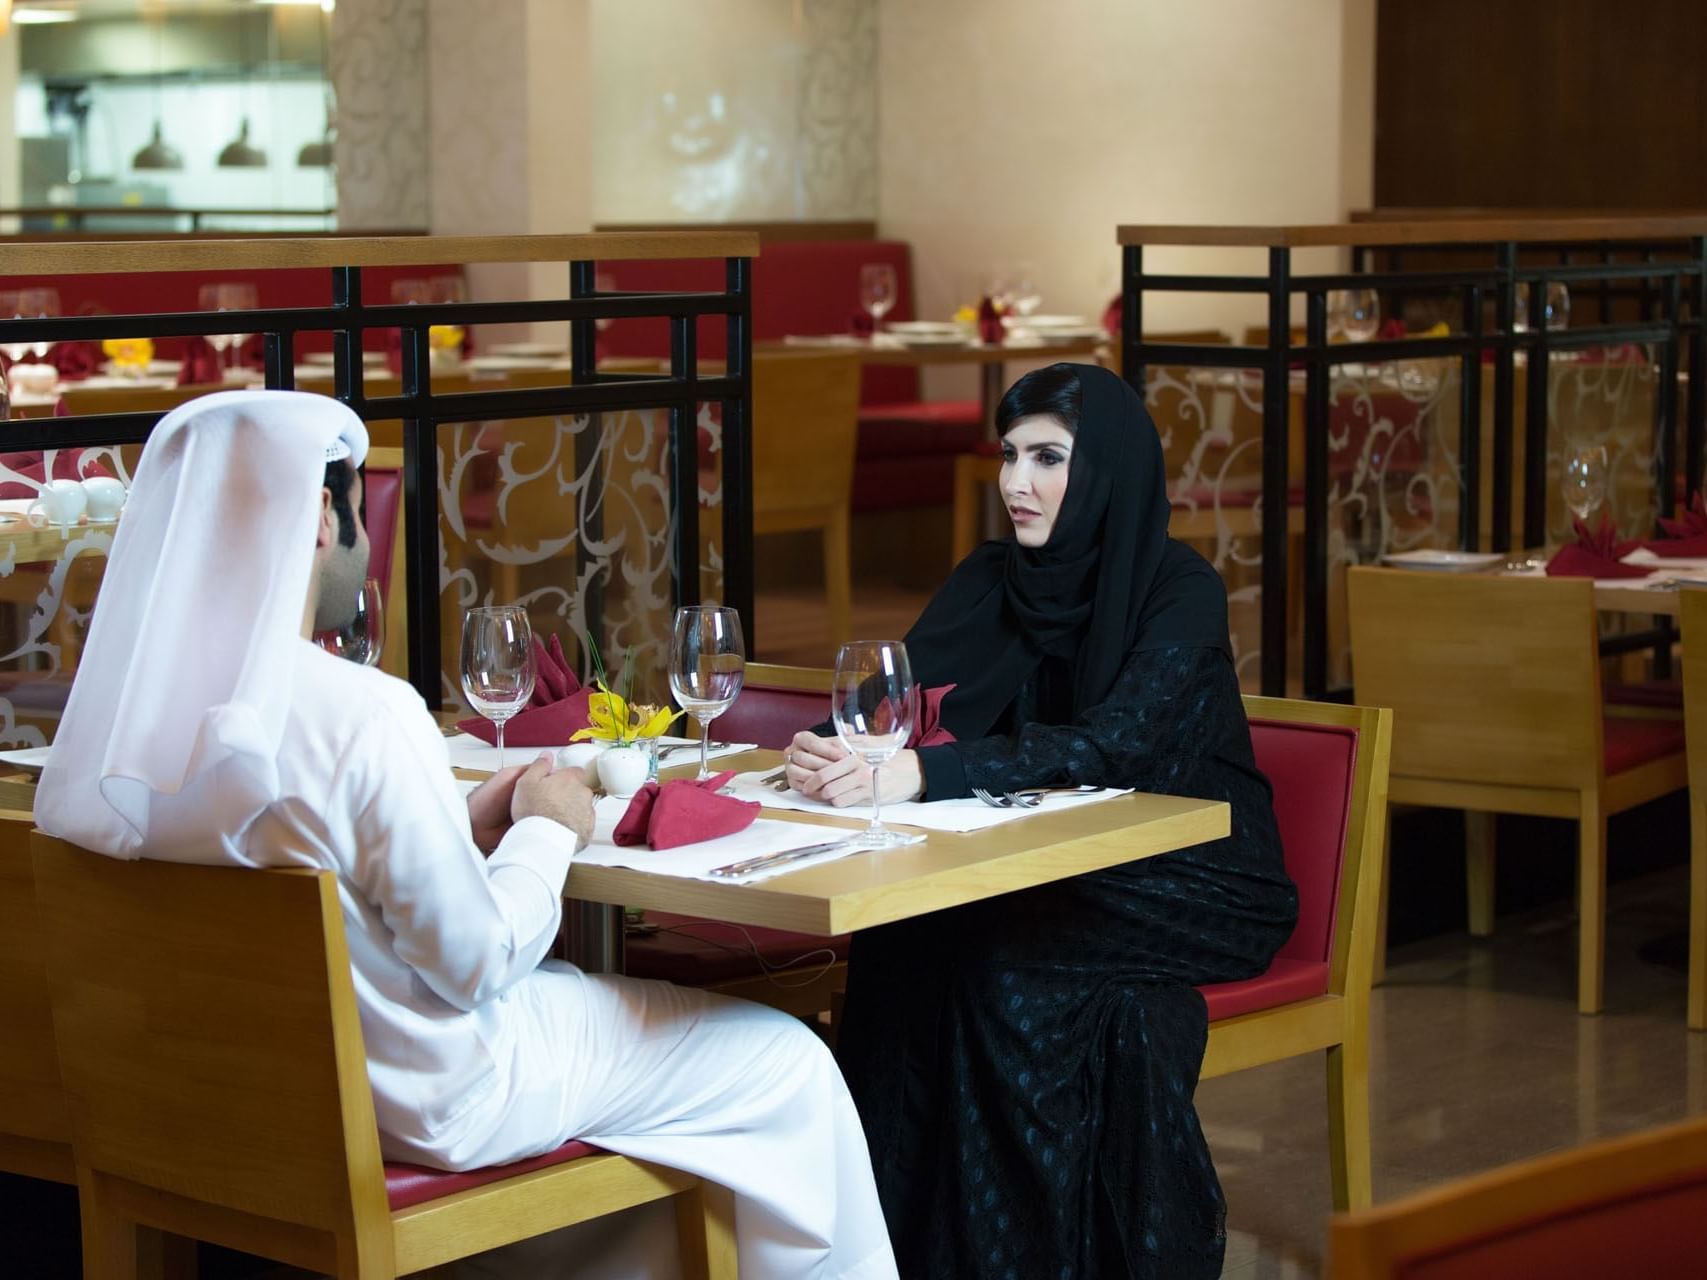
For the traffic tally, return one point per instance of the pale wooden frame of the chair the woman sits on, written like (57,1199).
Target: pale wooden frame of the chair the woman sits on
(1337,1021)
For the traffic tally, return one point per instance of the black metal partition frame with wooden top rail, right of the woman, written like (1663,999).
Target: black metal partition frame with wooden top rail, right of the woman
(1662,260)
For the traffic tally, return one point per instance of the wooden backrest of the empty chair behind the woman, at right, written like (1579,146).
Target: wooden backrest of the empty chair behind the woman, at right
(1493,680)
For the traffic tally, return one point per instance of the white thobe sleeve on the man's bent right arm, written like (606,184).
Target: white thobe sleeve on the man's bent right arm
(469,926)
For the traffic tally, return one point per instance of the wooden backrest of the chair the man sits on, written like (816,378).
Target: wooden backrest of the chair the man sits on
(211,1047)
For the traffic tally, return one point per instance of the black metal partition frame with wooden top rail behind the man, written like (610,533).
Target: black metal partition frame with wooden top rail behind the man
(349,318)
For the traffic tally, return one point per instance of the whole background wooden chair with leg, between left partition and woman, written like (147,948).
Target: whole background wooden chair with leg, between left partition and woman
(805,433)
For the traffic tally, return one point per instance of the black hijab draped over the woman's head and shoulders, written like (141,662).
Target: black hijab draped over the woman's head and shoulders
(1107,583)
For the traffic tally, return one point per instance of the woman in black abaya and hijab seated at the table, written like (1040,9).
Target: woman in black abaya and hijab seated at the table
(1025,1066)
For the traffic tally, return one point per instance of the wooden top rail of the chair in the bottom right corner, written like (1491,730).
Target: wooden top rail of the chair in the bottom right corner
(1382,1243)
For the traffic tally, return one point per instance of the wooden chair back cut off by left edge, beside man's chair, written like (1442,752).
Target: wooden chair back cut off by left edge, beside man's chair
(35,1132)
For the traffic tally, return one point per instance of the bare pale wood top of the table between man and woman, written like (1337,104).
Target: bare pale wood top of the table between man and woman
(947,871)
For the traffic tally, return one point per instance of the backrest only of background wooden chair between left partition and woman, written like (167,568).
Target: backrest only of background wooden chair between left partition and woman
(805,428)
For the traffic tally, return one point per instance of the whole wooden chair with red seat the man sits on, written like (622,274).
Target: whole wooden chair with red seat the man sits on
(218,1088)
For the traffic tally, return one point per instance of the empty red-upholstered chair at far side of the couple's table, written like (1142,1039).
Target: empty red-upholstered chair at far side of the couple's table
(798,974)
